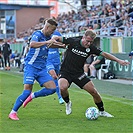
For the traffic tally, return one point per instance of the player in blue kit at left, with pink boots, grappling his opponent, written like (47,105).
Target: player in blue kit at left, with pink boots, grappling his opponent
(35,66)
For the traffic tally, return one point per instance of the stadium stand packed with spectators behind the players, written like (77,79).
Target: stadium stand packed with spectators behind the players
(114,19)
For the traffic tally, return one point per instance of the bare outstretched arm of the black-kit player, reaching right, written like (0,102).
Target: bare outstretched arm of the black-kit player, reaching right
(112,57)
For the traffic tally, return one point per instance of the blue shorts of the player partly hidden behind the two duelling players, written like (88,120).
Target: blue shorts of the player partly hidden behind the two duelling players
(53,66)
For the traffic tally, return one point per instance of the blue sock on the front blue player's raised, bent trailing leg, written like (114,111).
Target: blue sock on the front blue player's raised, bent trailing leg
(44,92)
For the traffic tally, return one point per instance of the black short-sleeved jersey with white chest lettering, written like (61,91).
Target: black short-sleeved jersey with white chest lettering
(76,55)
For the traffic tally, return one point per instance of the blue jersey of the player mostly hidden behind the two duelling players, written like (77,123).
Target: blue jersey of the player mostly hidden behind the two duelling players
(53,53)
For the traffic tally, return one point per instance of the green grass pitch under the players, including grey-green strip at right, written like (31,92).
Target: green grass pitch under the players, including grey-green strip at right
(46,115)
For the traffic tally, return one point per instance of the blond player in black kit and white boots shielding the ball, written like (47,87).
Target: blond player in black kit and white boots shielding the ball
(72,68)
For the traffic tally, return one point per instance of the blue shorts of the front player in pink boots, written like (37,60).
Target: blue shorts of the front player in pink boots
(40,75)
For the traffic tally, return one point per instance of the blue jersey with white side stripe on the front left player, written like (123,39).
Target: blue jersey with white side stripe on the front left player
(37,56)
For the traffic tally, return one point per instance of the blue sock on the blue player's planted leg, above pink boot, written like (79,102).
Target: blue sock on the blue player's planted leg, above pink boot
(21,99)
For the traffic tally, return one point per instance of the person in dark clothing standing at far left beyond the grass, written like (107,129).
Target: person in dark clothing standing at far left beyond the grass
(6,53)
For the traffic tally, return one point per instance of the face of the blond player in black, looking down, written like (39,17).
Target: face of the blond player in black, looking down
(87,41)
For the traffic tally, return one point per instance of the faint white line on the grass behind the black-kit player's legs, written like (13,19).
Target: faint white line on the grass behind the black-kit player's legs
(111,99)
